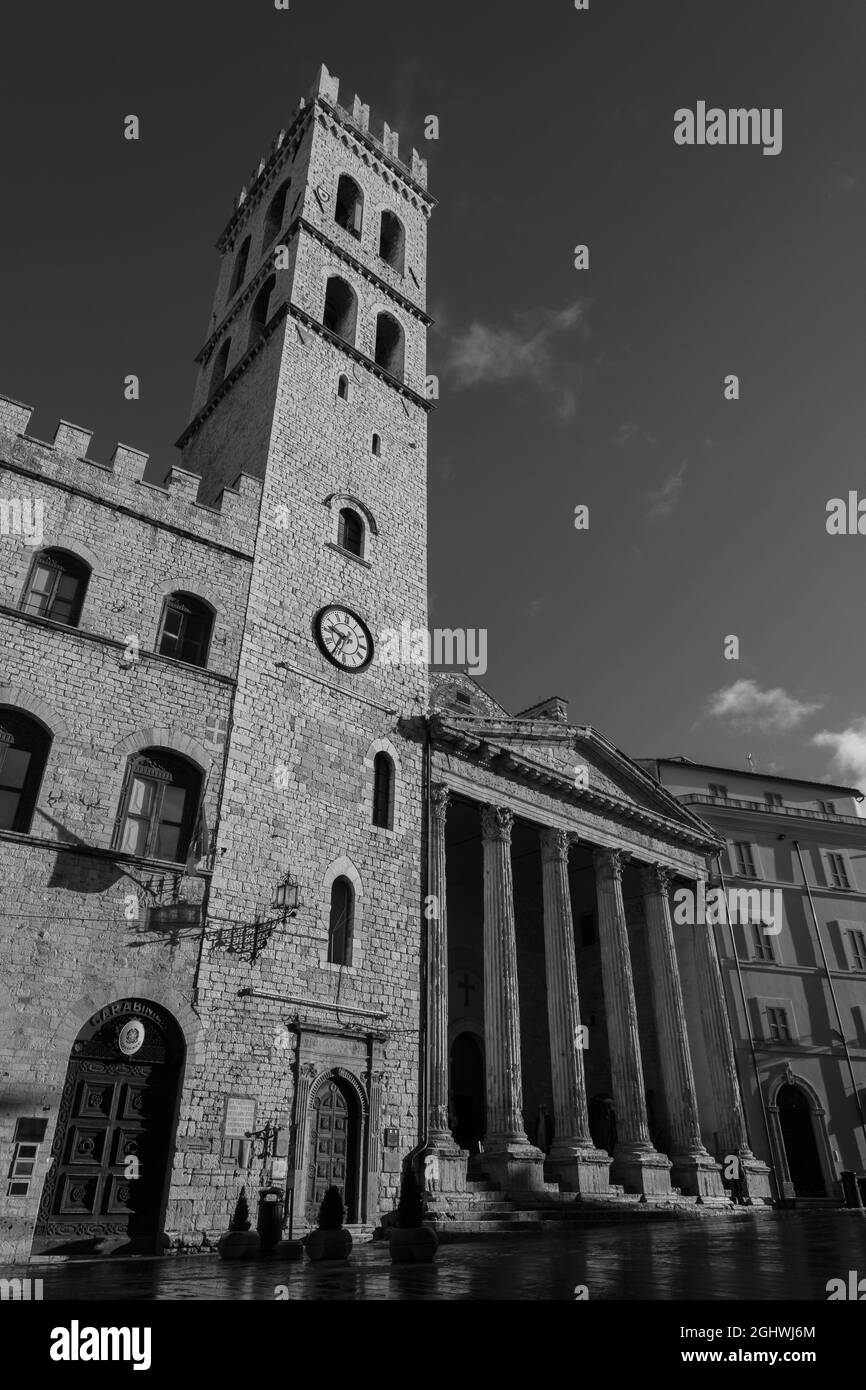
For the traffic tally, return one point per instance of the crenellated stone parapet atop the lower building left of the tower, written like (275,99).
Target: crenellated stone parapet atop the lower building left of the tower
(174,502)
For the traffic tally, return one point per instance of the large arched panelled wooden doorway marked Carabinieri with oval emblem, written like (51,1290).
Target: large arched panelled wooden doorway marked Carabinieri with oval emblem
(108,1184)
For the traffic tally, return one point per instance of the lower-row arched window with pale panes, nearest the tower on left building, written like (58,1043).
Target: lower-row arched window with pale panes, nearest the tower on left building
(159,808)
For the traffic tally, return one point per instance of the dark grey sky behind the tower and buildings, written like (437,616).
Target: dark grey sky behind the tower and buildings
(708,518)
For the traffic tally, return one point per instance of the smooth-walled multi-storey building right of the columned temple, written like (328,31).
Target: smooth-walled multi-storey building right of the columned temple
(794,961)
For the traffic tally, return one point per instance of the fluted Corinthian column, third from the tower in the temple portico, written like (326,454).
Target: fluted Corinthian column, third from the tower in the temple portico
(573,1161)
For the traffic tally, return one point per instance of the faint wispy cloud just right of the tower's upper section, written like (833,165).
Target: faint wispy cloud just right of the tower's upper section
(522,352)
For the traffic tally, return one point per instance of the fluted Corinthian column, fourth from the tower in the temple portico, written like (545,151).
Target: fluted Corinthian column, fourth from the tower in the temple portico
(636,1163)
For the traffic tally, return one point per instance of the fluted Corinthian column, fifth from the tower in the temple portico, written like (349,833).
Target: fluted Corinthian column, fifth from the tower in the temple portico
(694,1171)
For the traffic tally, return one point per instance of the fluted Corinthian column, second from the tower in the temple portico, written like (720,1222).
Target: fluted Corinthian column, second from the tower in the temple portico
(508,1154)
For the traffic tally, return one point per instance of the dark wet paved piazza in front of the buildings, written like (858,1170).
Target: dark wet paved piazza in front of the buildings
(786,1256)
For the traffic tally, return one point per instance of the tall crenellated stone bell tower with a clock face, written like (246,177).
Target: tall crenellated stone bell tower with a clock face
(313,379)
